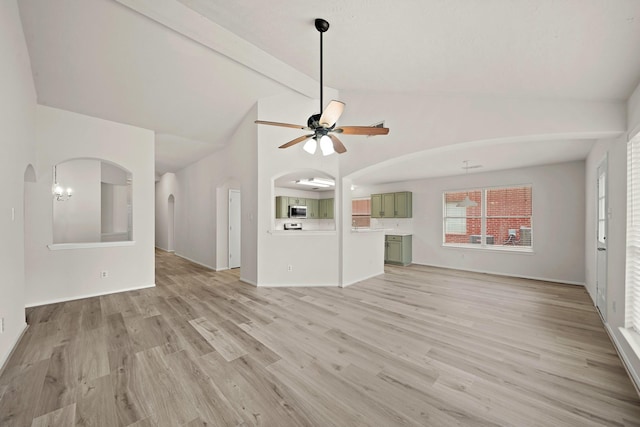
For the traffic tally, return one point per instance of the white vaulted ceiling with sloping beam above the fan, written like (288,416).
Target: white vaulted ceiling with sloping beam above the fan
(191,69)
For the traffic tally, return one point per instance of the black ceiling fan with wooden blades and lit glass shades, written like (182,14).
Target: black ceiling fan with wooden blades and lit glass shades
(323,125)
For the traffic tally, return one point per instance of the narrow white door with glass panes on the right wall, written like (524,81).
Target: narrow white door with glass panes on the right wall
(601,243)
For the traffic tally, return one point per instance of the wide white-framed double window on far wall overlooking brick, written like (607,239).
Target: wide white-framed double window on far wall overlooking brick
(502,218)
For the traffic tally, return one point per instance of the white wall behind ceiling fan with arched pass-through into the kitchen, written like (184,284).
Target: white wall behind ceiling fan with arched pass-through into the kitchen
(314,257)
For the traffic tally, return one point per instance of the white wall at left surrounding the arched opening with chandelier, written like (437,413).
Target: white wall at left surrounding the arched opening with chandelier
(56,275)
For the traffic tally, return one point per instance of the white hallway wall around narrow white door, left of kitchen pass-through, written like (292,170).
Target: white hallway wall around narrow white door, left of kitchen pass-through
(201,205)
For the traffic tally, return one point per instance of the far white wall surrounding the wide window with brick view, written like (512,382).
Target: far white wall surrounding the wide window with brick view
(558,223)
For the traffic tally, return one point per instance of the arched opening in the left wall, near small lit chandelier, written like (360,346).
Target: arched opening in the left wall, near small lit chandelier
(100,208)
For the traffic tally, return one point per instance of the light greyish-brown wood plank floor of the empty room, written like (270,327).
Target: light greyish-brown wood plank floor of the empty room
(418,346)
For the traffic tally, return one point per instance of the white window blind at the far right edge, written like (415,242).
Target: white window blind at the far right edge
(632,312)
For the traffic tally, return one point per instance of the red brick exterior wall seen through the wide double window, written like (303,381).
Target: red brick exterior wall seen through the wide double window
(512,203)
